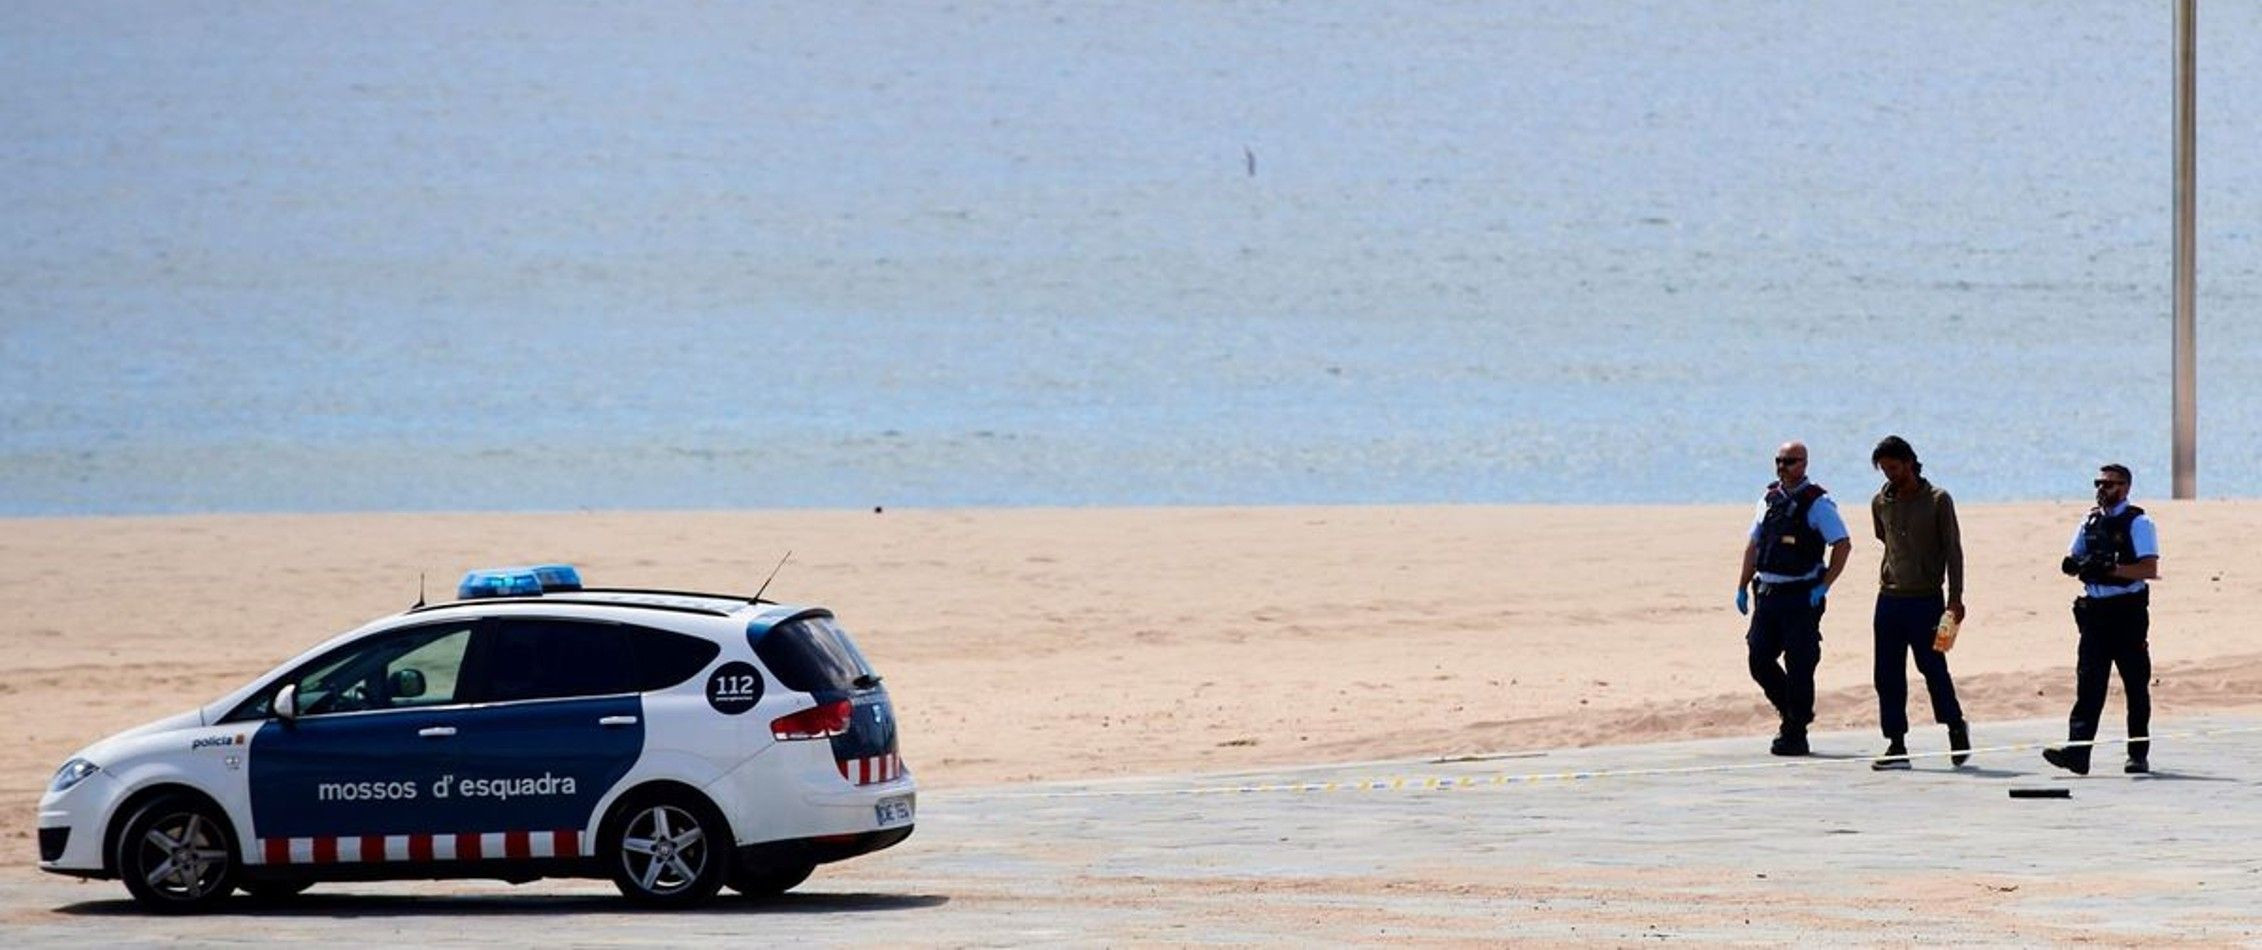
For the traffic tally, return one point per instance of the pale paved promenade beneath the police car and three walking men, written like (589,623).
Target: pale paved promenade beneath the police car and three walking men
(1673,843)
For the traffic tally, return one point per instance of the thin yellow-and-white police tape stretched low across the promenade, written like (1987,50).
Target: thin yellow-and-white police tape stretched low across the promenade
(1505,779)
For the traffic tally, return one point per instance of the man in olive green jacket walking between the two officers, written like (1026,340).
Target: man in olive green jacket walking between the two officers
(1924,546)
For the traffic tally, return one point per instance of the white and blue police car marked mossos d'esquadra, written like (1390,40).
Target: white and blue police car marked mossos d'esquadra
(533,729)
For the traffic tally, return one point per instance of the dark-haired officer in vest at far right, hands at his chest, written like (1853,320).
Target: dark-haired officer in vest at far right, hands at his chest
(2116,553)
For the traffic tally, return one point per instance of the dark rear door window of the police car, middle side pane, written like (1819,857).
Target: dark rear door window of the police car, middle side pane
(555,659)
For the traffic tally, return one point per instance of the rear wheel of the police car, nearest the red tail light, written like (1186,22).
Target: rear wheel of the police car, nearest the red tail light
(668,849)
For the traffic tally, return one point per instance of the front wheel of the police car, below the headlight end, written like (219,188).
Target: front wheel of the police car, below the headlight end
(178,856)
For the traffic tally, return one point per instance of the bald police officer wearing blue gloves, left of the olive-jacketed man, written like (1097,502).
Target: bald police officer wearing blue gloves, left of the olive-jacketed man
(1786,555)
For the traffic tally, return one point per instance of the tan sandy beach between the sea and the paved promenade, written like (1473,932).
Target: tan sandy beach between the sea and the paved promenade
(1080,644)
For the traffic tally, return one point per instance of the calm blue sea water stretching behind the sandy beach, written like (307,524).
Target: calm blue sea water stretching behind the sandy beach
(277,257)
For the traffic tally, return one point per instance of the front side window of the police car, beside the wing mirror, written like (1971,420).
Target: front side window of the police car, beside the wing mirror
(390,671)
